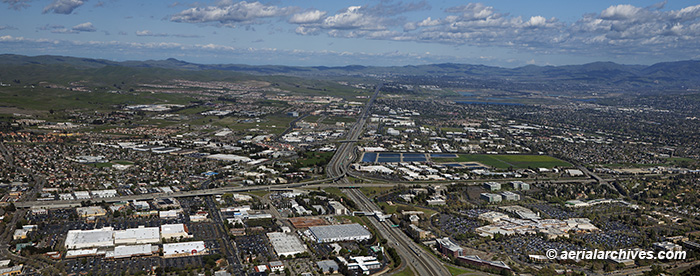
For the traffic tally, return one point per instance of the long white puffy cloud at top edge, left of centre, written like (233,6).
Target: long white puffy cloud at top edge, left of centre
(231,13)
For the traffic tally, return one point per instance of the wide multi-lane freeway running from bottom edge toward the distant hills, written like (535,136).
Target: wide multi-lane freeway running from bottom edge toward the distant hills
(423,263)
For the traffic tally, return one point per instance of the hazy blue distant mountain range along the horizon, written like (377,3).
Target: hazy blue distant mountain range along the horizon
(679,75)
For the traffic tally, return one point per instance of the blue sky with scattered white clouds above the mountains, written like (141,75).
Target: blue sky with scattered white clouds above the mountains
(338,33)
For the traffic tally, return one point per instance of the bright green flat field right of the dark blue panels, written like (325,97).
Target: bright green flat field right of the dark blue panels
(504,161)
